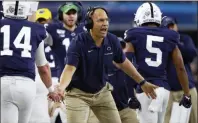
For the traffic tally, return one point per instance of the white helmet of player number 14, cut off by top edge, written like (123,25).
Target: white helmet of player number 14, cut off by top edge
(16,9)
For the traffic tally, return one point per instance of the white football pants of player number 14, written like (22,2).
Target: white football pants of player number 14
(17,96)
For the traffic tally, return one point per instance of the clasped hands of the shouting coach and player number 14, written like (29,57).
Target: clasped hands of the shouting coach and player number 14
(55,93)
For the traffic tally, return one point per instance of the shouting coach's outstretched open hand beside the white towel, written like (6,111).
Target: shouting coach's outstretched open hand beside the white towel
(149,90)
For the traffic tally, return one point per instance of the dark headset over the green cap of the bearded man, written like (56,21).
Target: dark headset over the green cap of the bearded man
(77,4)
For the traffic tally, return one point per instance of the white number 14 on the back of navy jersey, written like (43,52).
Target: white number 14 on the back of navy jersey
(24,32)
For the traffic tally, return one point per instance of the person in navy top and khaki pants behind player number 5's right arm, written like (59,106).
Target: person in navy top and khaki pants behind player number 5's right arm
(189,52)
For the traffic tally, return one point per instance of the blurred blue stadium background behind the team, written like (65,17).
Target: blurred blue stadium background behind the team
(122,14)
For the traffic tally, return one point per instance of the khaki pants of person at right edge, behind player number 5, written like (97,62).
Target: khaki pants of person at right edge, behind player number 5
(176,97)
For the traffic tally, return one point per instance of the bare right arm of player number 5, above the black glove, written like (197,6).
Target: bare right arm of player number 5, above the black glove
(180,69)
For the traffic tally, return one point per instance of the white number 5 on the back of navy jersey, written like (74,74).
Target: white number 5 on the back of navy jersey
(157,51)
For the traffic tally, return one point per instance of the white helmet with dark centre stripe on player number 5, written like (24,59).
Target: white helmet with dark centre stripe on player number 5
(148,12)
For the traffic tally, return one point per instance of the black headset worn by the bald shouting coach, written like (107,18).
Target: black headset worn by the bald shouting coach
(88,20)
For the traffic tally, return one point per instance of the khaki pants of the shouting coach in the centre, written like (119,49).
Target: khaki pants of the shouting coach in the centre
(79,103)
